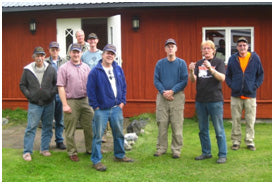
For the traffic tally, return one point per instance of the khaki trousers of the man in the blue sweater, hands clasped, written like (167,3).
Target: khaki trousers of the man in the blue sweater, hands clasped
(170,112)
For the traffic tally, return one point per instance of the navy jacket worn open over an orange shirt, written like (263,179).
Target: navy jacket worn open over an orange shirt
(247,83)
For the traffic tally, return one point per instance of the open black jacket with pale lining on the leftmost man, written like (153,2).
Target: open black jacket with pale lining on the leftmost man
(35,93)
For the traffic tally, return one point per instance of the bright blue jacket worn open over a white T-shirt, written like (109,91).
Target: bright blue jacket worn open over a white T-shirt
(99,90)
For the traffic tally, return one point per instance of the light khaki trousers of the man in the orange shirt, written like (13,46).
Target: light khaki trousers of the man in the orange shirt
(237,106)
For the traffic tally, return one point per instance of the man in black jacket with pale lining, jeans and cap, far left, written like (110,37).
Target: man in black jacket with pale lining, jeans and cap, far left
(38,84)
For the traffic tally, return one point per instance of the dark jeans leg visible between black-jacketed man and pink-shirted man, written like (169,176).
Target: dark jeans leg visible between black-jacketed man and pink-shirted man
(59,120)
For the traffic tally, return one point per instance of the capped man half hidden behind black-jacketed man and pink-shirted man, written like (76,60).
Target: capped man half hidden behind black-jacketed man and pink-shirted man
(56,61)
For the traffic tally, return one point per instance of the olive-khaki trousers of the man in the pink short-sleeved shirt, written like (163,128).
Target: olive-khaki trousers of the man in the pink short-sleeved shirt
(82,112)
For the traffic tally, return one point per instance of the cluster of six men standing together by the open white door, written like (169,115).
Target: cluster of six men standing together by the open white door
(89,88)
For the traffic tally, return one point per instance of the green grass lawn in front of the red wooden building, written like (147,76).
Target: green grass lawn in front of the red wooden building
(242,165)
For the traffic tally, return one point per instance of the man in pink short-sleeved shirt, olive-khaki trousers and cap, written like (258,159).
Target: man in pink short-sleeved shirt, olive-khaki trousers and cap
(71,82)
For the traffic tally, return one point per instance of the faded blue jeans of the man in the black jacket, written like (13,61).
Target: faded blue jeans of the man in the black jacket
(35,114)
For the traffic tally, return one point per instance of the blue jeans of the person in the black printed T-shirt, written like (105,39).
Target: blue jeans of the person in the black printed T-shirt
(215,111)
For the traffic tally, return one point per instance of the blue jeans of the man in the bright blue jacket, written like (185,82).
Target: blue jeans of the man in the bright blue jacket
(99,123)
